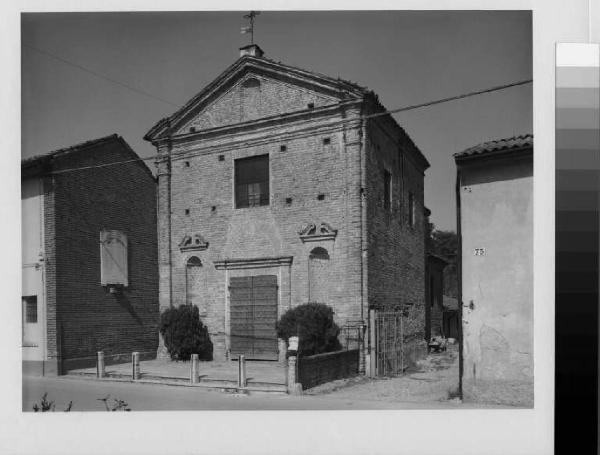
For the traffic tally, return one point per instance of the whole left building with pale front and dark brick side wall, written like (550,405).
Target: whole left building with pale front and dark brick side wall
(90,278)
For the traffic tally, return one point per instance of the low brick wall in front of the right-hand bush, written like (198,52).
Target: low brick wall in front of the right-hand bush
(330,366)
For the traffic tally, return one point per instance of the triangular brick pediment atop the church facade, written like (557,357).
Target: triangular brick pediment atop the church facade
(251,89)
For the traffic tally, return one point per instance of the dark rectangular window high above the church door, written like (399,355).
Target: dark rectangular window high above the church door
(252,181)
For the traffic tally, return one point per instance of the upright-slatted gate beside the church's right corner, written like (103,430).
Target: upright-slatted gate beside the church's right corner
(389,342)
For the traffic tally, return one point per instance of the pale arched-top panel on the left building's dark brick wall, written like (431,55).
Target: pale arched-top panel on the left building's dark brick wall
(113,258)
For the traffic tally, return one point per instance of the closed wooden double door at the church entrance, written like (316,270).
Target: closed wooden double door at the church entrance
(253,317)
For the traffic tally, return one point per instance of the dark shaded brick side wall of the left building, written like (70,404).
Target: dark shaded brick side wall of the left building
(121,197)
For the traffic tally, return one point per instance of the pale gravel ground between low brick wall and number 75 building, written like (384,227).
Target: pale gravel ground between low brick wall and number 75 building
(434,379)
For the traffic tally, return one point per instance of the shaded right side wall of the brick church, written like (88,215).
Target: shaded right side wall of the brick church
(396,250)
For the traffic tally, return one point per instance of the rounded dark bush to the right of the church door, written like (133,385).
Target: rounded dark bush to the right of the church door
(313,324)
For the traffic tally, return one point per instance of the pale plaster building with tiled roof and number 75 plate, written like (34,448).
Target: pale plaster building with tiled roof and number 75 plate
(495,221)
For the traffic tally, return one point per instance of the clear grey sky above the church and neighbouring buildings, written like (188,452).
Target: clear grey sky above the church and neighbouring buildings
(406,57)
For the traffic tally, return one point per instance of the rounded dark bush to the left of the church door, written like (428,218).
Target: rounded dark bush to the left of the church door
(184,334)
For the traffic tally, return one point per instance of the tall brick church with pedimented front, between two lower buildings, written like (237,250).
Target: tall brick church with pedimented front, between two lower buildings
(276,188)
